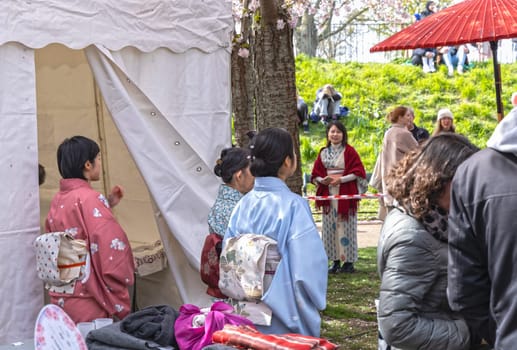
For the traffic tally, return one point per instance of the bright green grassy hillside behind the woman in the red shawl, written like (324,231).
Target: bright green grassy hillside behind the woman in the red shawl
(370,90)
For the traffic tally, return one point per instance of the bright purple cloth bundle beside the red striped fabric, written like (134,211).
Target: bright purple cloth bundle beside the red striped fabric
(190,337)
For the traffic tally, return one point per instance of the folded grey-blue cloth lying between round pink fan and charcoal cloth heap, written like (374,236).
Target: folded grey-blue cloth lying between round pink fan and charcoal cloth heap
(112,338)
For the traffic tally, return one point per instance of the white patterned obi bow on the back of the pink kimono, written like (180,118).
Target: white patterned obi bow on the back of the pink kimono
(60,259)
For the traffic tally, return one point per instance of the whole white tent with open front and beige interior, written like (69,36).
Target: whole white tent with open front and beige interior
(149,80)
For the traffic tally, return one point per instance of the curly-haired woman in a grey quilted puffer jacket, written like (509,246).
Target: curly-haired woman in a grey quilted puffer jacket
(413,311)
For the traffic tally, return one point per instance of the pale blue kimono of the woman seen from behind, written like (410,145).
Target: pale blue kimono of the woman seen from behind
(299,286)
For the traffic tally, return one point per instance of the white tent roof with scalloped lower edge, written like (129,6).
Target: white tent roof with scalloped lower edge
(178,25)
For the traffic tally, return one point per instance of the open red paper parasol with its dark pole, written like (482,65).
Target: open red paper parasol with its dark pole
(466,22)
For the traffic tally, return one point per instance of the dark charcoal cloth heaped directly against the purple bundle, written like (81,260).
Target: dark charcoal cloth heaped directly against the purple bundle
(154,323)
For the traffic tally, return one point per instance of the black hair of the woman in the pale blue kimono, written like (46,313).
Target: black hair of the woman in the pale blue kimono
(269,148)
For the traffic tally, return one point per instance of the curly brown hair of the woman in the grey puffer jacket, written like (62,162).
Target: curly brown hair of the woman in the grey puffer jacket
(421,176)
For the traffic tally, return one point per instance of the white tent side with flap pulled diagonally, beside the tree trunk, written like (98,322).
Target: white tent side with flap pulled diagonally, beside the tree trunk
(173,142)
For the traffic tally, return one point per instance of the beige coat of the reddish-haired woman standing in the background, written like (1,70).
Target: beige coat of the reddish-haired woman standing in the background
(398,141)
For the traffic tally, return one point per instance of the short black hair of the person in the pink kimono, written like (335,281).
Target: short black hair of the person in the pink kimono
(72,155)
